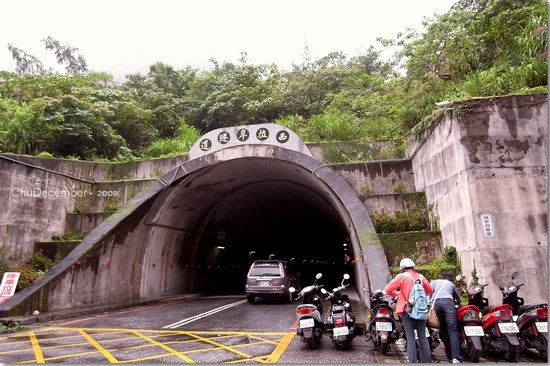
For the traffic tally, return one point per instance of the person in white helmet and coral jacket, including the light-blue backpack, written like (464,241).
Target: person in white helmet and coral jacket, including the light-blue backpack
(413,310)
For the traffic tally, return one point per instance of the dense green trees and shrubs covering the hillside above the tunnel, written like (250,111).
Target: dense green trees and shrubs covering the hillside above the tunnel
(478,48)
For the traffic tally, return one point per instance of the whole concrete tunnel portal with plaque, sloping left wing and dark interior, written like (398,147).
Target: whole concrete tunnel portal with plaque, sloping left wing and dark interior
(244,193)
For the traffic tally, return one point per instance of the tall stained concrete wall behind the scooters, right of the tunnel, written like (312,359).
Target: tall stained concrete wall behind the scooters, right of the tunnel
(486,160)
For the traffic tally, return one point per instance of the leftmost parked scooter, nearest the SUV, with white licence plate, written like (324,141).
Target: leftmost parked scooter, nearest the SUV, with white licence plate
(310,314)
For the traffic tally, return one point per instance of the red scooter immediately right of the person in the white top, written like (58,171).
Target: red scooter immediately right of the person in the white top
(470,331)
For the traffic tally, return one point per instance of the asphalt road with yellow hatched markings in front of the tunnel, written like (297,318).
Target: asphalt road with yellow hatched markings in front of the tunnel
(203,330)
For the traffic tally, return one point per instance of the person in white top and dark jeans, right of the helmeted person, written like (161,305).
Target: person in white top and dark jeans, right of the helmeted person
(445,299)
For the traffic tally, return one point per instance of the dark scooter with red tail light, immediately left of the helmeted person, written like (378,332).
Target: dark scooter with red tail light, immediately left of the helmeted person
(383,327)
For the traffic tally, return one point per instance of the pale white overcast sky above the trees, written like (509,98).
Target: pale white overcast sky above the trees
(127,36)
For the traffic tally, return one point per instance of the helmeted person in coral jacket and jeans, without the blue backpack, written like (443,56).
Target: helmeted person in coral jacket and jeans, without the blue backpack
(401,286)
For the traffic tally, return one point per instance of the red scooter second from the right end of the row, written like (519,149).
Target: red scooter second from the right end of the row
(500,331)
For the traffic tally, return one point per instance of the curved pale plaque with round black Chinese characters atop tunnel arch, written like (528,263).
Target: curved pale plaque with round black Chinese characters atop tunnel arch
(264,134)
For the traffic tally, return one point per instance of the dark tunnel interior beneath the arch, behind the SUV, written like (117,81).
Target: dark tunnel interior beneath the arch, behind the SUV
(234,212)
